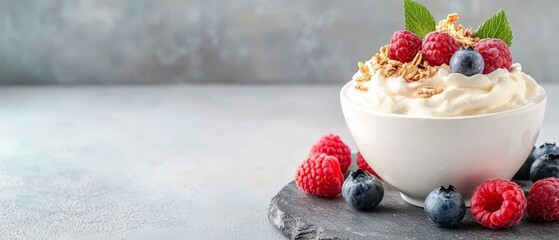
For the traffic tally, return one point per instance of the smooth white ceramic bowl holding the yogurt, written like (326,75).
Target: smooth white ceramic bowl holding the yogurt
(417,154)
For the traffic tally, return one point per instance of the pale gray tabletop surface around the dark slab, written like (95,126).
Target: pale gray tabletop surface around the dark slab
(161,162)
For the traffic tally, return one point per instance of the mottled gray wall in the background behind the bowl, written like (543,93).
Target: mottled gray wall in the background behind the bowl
(242,41)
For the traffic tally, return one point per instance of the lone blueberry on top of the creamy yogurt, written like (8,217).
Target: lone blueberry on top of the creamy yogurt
(467,61)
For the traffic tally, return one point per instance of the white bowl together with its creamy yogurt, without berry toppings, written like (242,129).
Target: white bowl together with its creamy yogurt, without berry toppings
(447,129)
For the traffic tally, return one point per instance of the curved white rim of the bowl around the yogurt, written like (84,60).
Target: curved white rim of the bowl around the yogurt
(540,99)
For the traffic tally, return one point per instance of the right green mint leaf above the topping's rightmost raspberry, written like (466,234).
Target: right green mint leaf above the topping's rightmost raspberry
(496,26)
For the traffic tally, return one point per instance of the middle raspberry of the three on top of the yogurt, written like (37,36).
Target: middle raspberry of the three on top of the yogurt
(438,48)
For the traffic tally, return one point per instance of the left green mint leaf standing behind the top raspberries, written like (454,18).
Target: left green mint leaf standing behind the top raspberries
(418,19)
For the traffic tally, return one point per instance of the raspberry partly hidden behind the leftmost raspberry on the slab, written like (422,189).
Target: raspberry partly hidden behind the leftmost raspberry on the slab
(332,145)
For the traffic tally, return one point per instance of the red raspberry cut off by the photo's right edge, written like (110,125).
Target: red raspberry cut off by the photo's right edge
(543,200)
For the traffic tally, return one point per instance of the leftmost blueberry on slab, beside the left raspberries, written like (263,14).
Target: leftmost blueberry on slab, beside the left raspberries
(362,190)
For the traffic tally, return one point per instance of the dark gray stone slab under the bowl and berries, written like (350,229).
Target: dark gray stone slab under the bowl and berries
(302,216)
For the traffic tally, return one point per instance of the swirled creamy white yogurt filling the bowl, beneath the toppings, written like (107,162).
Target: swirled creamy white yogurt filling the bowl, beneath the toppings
(498,91)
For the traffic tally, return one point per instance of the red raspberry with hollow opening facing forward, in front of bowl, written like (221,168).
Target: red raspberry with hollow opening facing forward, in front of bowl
(498,203)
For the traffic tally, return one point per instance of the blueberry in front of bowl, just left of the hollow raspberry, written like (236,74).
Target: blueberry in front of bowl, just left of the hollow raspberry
(445,206)
